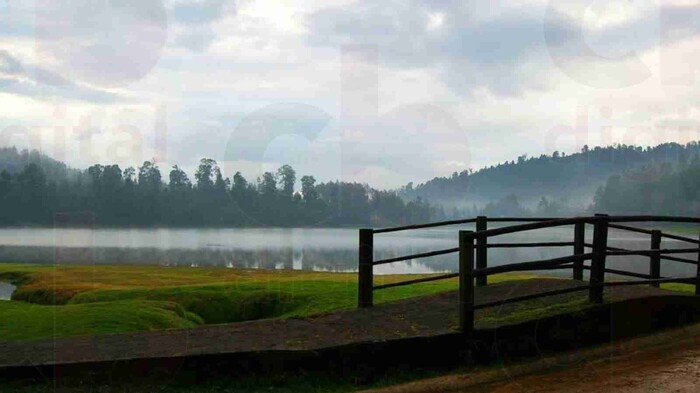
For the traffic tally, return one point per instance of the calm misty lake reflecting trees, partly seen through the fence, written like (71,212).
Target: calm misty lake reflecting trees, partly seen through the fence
(293,248)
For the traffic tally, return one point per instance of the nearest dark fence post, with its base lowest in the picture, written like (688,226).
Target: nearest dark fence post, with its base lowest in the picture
(466,282)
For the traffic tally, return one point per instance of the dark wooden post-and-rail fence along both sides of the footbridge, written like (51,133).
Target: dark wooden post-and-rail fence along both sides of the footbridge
(473,249)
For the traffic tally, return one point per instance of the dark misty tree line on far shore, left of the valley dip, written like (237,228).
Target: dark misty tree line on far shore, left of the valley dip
(144,196)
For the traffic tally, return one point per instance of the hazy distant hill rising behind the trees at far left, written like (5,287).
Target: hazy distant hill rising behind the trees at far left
(14,161)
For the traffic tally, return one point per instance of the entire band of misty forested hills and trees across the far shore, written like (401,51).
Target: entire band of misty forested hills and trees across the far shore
(34,187)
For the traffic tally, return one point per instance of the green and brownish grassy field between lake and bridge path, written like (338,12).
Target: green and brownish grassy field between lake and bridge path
(60,301)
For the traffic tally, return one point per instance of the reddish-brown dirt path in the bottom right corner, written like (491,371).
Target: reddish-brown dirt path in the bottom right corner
(666,362)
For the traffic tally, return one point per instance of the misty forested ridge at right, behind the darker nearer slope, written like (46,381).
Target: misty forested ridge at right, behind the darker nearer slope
(572,179)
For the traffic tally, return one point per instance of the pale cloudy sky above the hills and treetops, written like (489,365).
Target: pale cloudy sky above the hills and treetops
(380,92)
